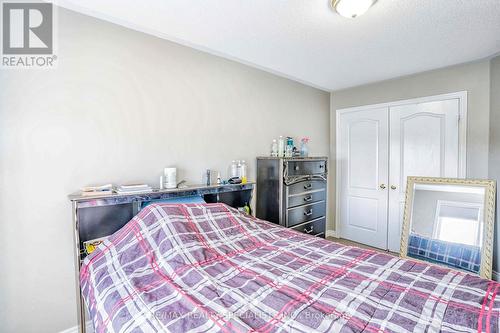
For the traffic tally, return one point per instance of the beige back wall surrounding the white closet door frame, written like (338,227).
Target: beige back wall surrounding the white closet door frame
(473,77)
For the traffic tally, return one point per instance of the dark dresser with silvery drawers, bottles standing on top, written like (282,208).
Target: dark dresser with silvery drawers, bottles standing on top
(292,192)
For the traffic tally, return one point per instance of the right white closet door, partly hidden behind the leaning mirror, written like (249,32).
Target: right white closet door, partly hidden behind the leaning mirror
(423,142)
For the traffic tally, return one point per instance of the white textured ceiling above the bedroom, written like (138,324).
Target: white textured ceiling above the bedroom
(307,41)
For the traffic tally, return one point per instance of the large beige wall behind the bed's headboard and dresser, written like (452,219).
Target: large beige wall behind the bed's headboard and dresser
(121,106)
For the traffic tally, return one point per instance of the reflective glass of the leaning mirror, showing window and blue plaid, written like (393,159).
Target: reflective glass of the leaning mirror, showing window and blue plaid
(447,225)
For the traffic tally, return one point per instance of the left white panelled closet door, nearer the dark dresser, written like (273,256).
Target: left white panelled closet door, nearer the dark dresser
(363,150)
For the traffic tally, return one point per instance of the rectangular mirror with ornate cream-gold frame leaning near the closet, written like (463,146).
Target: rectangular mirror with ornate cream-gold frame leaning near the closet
(450,222)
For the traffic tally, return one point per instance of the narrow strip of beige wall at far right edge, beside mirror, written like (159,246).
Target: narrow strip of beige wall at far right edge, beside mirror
(494,152)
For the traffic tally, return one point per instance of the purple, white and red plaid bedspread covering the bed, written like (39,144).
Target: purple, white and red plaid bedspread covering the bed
(208,268)
